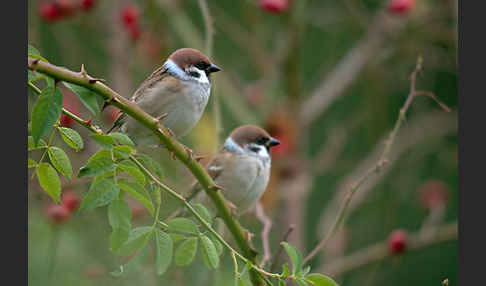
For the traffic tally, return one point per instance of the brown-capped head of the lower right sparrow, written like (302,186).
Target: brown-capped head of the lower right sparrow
(252,140)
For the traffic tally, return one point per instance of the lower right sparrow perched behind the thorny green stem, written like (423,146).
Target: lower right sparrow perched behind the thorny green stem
(241,168)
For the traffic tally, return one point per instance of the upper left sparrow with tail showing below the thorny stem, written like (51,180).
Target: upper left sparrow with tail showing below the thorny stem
(176,93)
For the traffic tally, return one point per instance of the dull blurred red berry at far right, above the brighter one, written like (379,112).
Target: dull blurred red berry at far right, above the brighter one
(433,194)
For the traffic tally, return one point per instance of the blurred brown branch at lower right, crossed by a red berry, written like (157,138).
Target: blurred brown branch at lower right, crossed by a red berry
(380,251)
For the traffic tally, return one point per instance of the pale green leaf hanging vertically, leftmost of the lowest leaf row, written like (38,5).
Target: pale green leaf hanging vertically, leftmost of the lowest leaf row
(119,216)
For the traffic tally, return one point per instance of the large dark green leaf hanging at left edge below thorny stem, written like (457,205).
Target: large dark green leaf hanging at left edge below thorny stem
(46,112)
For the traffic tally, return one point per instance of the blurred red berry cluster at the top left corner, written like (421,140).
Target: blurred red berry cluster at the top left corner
(62,9)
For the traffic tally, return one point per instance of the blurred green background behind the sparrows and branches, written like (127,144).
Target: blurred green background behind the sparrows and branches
(272,63)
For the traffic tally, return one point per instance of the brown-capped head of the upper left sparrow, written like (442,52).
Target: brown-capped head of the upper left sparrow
(190,64)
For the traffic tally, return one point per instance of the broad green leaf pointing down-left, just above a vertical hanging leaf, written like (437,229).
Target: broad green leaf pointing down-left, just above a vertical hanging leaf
(101,193)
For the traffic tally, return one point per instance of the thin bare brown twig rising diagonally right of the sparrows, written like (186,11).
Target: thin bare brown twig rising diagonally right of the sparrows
(374,169)
